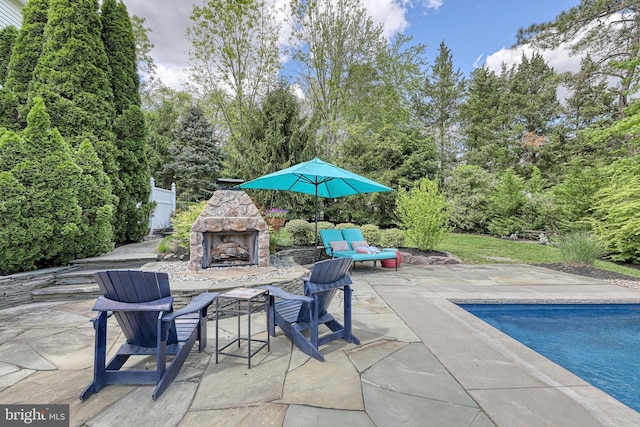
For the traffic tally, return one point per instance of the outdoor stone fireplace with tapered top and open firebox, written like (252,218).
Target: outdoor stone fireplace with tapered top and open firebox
(229,232)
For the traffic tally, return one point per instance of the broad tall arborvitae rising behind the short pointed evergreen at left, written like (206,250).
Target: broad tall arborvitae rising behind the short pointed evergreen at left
(72,74)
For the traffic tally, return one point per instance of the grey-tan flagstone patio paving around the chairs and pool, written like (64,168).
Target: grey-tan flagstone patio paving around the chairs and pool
(422,361)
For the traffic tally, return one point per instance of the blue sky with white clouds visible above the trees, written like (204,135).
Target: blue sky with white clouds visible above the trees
(476,31)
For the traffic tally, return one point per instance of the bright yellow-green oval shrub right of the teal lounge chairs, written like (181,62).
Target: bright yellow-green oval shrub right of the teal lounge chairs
(423,213)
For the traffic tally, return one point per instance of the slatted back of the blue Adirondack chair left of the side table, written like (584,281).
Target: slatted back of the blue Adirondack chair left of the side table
(133,286)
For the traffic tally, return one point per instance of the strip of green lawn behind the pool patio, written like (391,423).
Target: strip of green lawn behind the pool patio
(474,249)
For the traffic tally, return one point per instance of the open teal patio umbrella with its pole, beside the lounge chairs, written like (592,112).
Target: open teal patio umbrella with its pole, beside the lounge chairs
(318,178)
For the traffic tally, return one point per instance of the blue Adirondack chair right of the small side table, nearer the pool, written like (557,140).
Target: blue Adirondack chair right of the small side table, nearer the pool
(297,313)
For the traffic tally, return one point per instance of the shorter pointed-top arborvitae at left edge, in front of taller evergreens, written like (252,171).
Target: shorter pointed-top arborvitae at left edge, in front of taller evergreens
(43,215)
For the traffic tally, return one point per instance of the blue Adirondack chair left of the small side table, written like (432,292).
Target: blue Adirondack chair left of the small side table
(143,306)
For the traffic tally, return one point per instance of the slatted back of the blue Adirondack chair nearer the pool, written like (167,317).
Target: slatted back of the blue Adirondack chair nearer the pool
(326,278)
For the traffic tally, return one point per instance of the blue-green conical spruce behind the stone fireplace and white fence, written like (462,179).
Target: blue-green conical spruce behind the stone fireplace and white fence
(197,157)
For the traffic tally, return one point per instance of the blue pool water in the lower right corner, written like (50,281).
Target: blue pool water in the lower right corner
(600,343)
